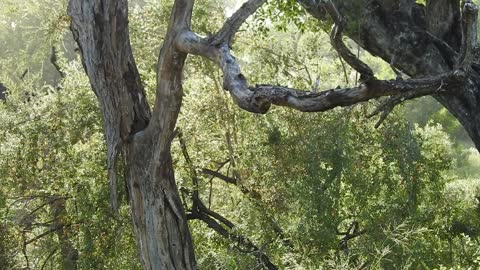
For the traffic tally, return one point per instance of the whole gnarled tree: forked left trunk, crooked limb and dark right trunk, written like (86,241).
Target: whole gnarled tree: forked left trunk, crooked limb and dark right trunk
(434,44)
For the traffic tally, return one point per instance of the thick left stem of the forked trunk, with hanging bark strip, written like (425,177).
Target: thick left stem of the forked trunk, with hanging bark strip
(100,29)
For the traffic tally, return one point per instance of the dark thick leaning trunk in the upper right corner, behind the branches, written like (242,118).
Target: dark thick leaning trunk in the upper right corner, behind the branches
(418,40)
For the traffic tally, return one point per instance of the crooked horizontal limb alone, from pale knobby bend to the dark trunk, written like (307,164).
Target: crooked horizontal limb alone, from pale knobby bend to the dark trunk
(259,98)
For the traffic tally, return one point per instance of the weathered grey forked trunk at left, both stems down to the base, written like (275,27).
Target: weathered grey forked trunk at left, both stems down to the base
(100,28)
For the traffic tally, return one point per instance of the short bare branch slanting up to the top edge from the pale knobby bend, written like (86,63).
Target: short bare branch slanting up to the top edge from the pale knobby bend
(233,23)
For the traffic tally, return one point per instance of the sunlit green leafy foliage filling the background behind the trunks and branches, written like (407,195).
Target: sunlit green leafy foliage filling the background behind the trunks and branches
(310,191)
